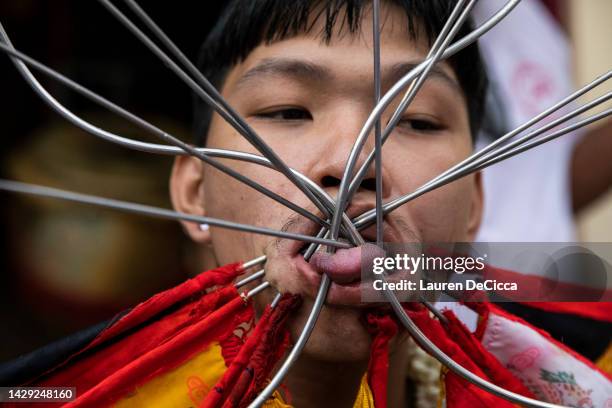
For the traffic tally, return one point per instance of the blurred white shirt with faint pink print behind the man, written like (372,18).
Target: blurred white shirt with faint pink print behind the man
(527,197)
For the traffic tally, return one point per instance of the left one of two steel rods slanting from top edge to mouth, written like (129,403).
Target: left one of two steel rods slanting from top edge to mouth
(228,114)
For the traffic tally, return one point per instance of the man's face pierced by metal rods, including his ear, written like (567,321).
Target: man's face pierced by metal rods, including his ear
(308,100)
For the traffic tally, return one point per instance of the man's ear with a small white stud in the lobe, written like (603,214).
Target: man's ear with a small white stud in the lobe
(187,195)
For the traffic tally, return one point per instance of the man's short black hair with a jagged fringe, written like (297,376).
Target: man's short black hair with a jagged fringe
(246,24)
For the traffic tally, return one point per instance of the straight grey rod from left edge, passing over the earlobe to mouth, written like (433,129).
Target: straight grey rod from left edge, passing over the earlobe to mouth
(25,188)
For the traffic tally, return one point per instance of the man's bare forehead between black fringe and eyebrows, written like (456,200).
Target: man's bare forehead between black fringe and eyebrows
(347,59)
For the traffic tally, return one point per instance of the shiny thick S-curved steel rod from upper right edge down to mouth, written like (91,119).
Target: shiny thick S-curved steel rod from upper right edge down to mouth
(397,88)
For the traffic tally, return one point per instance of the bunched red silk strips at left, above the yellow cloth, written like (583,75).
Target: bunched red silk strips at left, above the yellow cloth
(138,338)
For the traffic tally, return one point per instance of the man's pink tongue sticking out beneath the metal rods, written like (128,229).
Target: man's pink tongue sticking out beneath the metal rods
(344,266)
